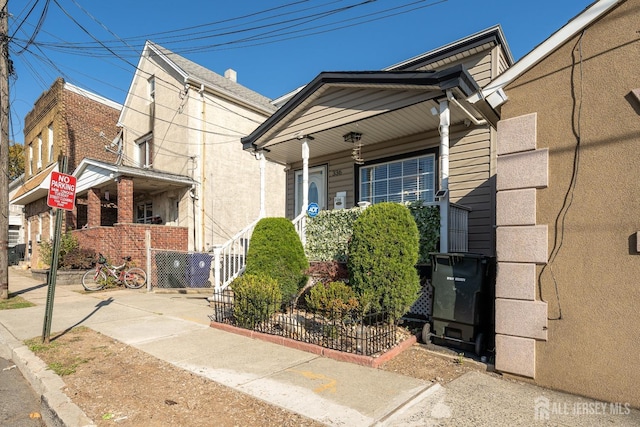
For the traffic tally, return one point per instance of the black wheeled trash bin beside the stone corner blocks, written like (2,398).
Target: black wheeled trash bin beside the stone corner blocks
(461,300)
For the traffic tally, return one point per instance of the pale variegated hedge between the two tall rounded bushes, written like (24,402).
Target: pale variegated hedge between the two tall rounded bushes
(328,234)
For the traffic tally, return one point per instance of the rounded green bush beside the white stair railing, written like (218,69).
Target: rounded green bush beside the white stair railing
(276,251)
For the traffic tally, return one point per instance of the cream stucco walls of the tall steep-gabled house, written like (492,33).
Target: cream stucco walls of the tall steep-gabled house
(198,135)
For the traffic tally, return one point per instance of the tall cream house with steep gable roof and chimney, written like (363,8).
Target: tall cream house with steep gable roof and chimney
(179,146)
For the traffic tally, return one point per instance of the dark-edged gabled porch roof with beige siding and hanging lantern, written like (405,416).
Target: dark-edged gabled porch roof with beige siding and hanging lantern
(381,105)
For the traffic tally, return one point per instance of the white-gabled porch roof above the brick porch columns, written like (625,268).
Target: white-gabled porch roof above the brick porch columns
(92,173)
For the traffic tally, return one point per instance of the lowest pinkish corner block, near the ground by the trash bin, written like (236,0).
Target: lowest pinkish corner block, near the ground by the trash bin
(516,355)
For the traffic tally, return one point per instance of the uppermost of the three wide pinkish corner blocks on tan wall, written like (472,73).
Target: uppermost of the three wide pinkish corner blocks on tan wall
(523,170)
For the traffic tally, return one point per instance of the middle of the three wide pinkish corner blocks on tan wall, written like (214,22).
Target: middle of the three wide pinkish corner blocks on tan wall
(526,244)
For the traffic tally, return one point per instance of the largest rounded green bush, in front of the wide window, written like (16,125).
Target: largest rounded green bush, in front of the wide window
(383,253)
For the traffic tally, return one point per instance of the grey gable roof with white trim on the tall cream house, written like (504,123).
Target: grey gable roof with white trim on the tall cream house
(199,75)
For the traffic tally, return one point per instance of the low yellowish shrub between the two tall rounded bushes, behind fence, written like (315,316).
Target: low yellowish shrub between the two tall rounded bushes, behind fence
(334,298)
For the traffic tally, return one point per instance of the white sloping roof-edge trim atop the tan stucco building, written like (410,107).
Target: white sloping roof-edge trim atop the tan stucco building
(494,91)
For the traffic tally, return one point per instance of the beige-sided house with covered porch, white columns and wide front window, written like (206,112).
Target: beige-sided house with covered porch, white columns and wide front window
(401,134)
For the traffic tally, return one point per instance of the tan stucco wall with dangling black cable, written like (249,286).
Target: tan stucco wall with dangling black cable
(580,94)
